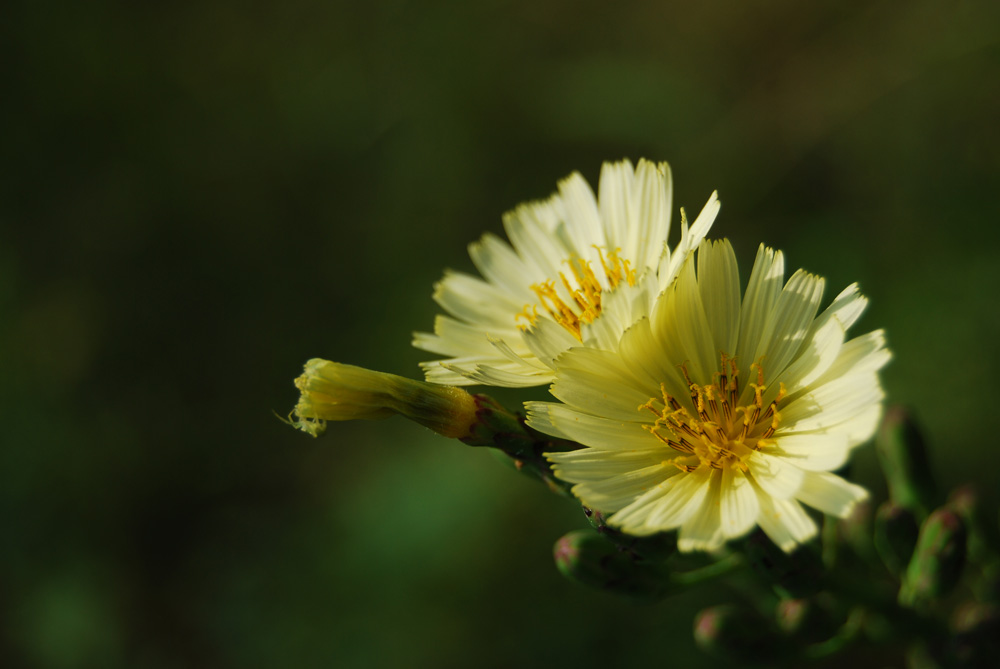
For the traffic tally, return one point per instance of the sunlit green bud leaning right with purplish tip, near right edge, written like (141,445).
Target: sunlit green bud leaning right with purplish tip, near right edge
(938,560)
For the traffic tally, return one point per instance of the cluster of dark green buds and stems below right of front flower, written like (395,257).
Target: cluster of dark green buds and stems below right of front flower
(917,577)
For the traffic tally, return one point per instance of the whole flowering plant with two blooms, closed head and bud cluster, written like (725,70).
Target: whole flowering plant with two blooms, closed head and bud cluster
(697,424)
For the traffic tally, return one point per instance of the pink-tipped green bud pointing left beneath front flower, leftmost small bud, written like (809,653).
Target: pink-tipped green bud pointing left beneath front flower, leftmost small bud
(587,558)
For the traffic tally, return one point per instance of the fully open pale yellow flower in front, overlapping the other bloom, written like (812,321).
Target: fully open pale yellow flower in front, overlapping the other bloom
(716,414)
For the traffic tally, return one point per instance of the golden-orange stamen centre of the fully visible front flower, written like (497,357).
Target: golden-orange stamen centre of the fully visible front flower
(719,432)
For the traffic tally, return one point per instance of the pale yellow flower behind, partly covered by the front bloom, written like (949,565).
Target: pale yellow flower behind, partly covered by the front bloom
(567,259)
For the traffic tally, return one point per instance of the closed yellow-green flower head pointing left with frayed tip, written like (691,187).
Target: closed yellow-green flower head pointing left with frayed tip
(333,391)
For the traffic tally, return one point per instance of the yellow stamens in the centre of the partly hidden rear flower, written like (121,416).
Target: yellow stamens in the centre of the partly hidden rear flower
(576,299)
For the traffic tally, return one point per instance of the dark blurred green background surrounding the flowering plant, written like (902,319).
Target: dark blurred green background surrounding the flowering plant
(195,199)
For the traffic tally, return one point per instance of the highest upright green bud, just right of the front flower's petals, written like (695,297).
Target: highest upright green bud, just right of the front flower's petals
(903,455)
